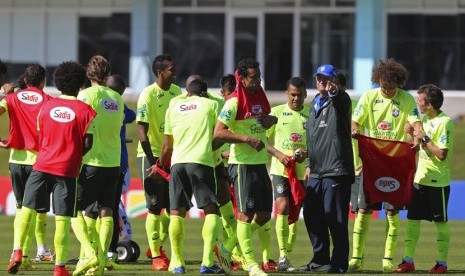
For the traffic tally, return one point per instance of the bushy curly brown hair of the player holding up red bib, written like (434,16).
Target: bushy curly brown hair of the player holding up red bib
(390,71)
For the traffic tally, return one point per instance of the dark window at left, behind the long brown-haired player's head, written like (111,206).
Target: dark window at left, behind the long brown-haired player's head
(107,36)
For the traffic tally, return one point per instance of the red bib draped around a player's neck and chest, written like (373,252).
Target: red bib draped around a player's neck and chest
(249,105)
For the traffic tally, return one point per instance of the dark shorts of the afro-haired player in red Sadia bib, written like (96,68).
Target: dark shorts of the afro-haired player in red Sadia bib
(37,194)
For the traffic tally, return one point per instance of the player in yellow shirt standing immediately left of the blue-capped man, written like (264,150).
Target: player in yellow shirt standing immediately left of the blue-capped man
(284,139)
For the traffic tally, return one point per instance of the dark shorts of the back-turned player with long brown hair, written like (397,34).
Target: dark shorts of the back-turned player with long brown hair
(97,184)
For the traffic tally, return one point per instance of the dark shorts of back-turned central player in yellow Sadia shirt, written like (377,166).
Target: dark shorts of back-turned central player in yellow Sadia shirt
(189,179)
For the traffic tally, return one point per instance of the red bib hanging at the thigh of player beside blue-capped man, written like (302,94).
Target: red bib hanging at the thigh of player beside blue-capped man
(297,191)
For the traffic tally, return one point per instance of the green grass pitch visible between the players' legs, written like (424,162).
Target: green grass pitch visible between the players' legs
(424,259)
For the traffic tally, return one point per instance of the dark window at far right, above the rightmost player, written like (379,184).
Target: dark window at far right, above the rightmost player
(432,47)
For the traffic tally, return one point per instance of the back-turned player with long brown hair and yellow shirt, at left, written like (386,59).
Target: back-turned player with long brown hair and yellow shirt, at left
(100,171)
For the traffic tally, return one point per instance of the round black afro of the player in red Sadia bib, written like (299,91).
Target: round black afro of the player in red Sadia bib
(69,77)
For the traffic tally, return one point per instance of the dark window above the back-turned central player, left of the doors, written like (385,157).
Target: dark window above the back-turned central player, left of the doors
(196,43)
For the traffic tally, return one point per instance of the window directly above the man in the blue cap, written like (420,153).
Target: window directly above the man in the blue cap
(327,38)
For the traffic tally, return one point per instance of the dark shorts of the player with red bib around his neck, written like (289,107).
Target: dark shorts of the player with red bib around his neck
(252,187)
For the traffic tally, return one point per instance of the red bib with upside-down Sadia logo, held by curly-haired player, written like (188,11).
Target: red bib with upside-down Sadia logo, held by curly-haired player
(388,170)
